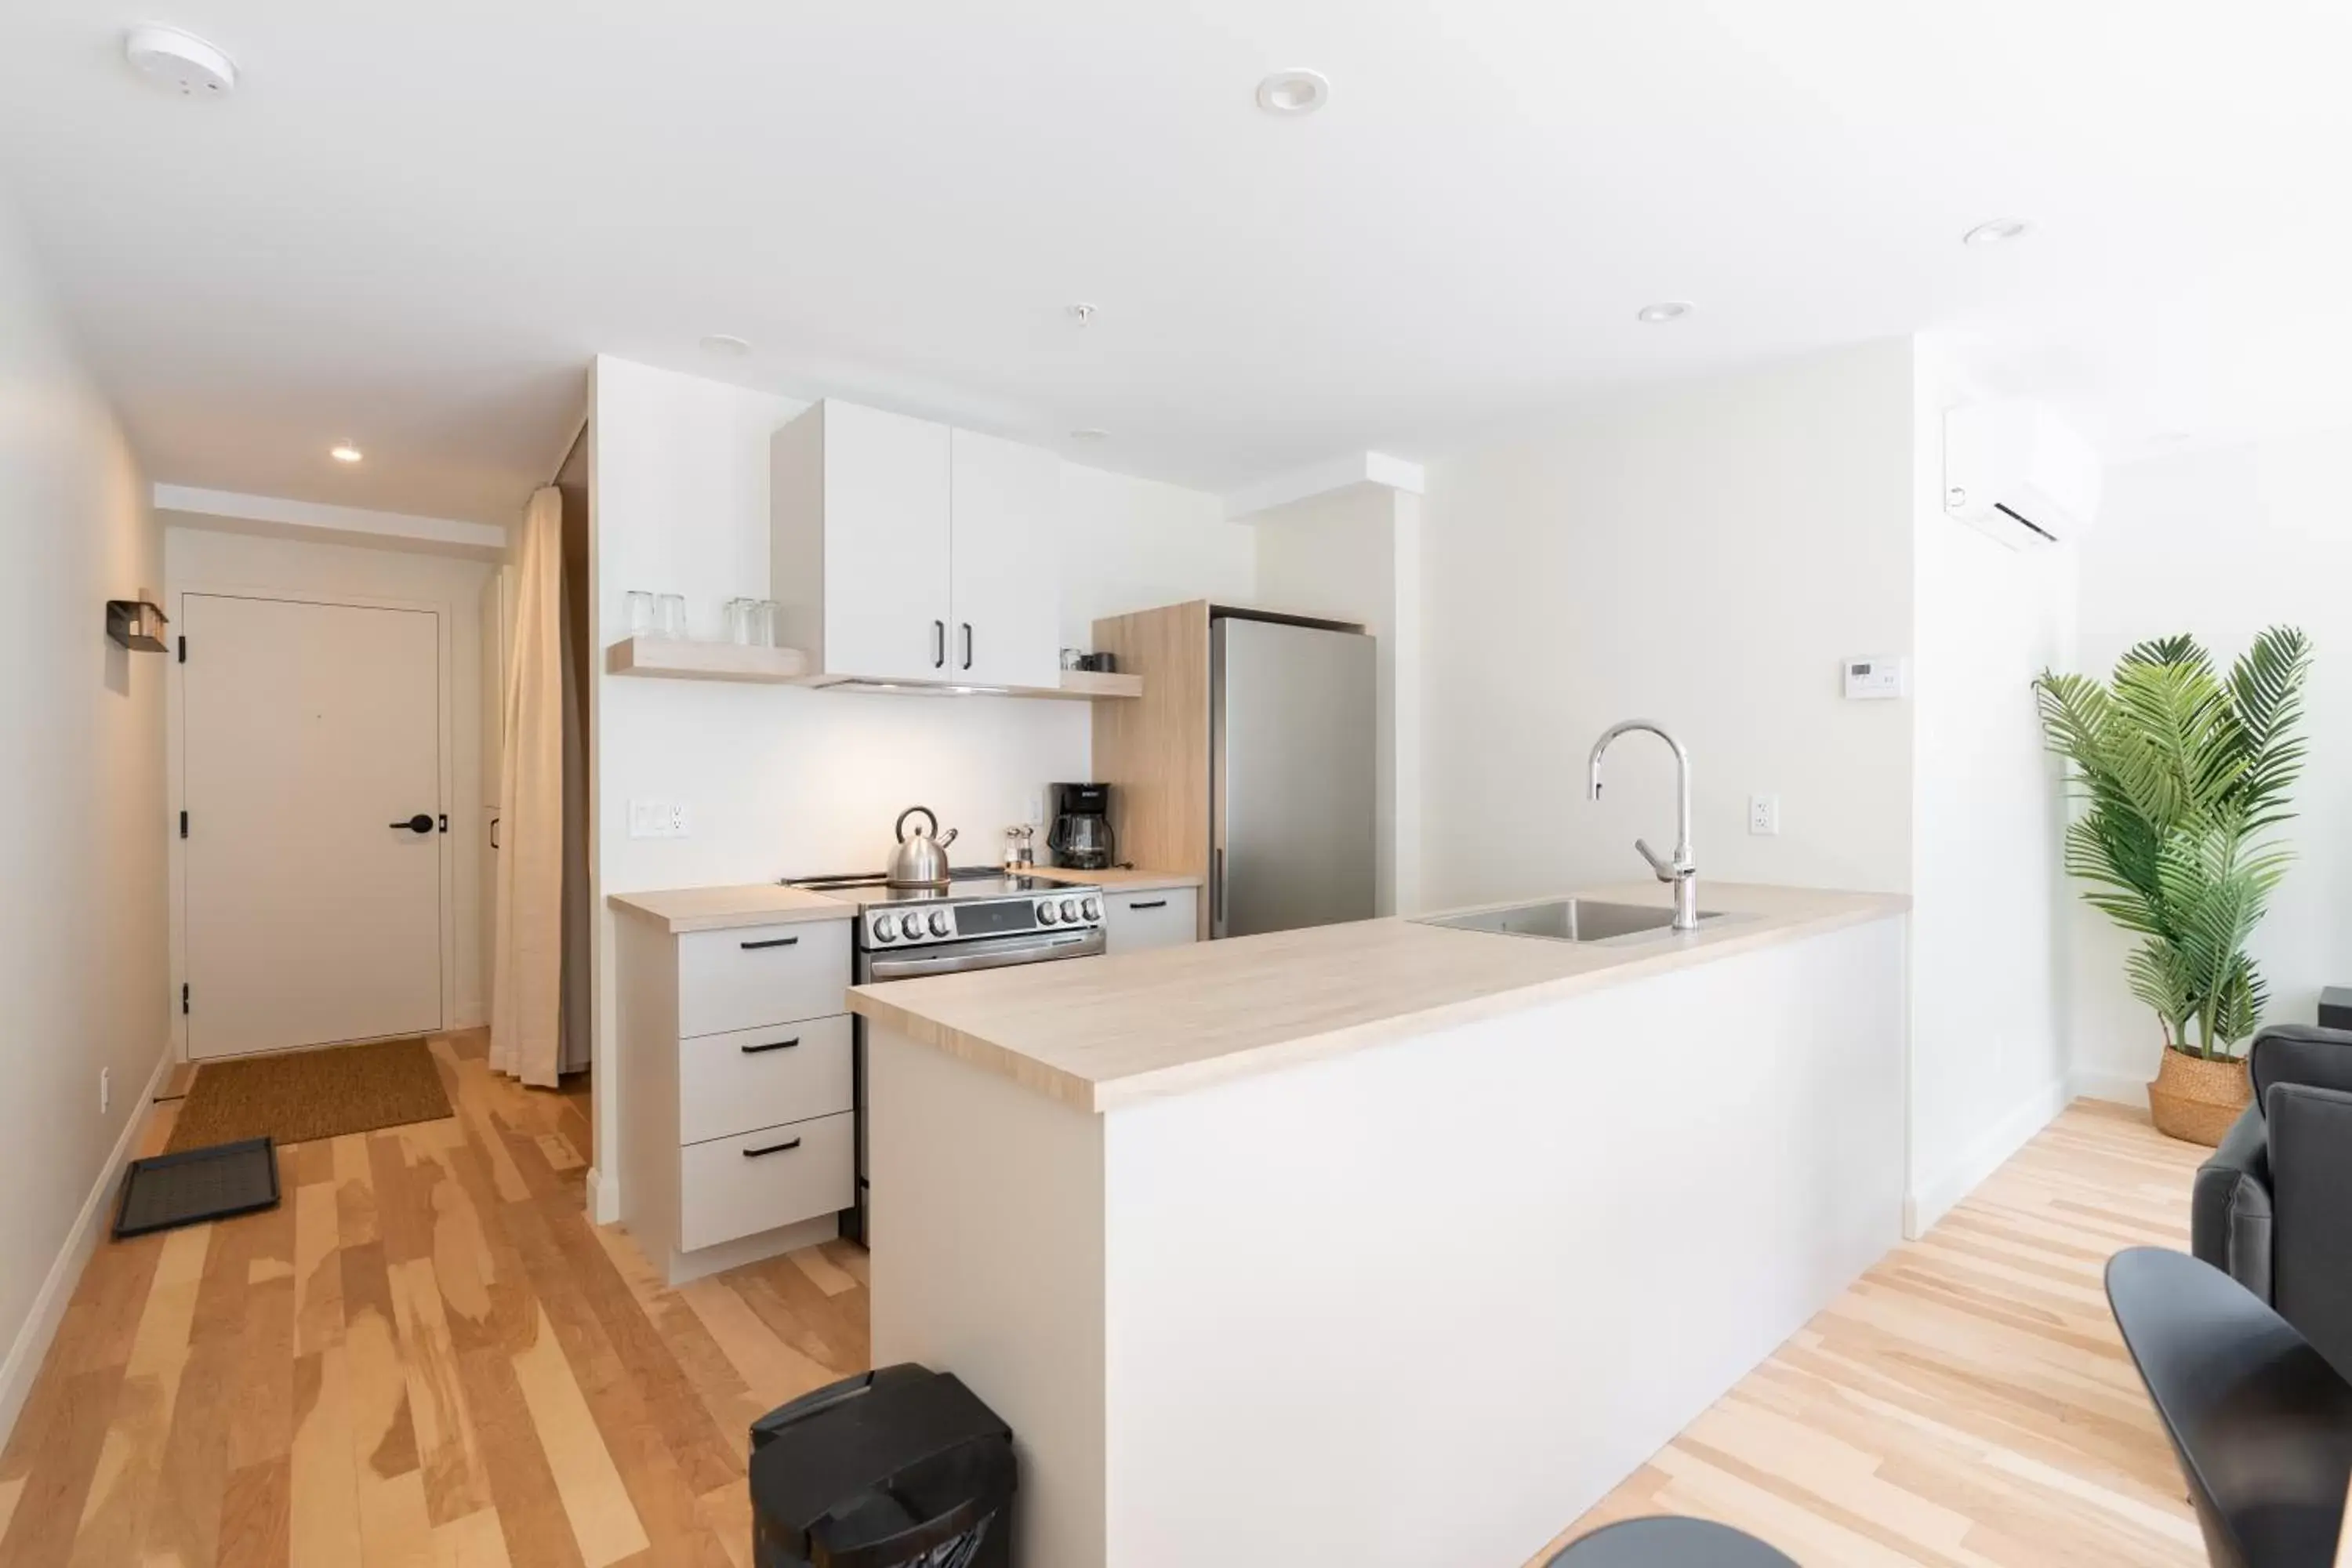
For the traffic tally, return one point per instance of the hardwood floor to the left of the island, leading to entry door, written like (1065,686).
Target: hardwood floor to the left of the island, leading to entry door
(425,1355)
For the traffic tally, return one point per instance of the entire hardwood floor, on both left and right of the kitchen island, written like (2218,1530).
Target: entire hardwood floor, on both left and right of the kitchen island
(427,1355)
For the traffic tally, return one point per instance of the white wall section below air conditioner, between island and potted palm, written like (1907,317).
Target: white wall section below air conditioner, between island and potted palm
(1989,815)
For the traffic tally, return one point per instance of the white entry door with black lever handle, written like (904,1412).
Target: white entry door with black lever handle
(314,862)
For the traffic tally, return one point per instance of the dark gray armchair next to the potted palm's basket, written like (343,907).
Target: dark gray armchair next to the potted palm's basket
(2273,1207)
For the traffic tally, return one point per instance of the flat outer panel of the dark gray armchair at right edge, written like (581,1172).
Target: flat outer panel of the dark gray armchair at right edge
(2311,1181)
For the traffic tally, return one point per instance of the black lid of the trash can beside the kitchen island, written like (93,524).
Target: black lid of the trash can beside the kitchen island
(824,1452)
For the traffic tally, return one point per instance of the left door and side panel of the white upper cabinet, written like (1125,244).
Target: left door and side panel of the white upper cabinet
(860,547)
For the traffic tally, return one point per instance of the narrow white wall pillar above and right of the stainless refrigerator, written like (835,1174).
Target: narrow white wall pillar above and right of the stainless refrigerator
(1356,556)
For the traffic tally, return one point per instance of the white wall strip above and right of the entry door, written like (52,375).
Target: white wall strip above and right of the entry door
(206,558)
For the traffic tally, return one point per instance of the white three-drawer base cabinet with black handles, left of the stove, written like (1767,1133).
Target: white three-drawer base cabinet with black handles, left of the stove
(737,1099)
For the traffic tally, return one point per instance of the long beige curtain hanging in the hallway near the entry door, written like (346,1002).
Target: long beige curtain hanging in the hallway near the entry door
(528,979)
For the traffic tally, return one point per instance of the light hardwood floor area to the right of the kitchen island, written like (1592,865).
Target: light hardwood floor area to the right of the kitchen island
(1965,1402)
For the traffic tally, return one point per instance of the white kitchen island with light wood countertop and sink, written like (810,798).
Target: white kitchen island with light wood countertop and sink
(1379,1242)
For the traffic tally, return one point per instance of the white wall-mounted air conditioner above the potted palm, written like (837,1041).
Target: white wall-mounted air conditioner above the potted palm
(2019,474)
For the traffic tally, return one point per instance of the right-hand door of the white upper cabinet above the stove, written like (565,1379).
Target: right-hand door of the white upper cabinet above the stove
(1005,589)
